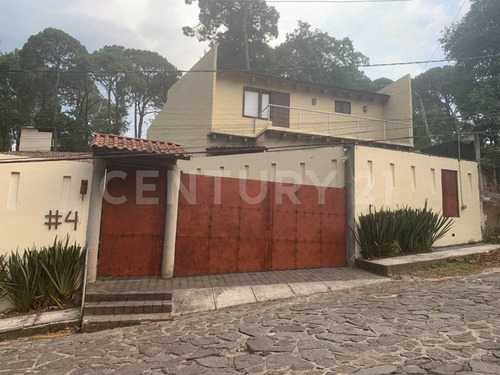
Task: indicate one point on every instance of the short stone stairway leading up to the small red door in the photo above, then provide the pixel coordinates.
(112, 307)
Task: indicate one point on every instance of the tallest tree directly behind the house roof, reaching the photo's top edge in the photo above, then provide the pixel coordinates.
(239, 27)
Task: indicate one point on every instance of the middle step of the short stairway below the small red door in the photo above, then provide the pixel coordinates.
(127, 307)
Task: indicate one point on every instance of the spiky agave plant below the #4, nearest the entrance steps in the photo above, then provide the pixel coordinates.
(63, 264)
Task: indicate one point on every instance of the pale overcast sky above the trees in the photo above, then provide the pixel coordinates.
(385, 32)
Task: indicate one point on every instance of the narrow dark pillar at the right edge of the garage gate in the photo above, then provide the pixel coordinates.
(350, 212)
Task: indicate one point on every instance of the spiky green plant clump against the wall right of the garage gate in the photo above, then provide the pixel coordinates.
(404, 231)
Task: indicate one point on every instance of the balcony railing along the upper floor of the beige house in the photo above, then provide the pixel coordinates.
(334, 124)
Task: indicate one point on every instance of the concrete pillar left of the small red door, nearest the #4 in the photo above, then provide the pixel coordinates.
(94, 223)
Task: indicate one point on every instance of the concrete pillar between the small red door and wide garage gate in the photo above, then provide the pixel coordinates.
(170, 232)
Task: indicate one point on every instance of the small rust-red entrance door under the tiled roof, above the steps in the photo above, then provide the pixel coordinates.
(131, 239)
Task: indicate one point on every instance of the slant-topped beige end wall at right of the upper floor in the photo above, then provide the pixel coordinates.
(399, 109)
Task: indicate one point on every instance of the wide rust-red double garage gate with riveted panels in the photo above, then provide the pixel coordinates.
(236, 235)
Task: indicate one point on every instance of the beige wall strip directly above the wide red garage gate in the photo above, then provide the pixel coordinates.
(319, 166)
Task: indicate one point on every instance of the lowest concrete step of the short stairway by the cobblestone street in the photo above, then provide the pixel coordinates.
(94, 323)
